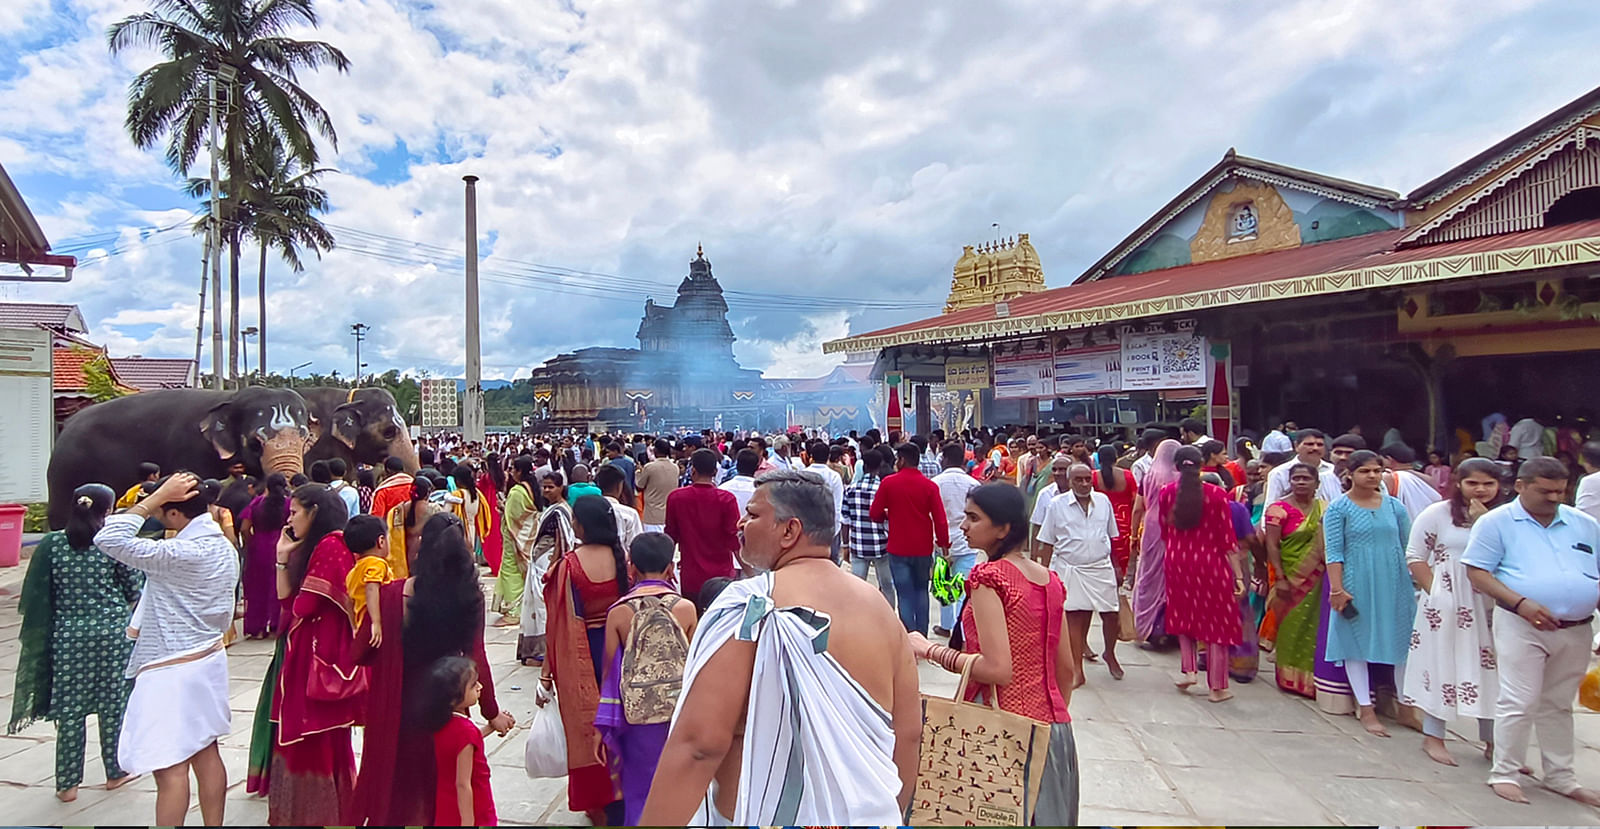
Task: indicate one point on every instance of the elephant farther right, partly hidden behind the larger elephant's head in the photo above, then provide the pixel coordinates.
(364, 427)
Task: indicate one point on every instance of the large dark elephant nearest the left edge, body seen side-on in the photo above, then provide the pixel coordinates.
(178, 430)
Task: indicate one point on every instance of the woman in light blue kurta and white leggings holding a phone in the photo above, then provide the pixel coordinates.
(1369, 585)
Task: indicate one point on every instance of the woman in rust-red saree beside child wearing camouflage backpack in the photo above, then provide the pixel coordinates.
(578, 595)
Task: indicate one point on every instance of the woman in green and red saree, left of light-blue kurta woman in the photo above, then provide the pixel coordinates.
(1294, 529)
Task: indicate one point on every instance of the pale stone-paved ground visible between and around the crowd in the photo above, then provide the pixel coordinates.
(1148, 756)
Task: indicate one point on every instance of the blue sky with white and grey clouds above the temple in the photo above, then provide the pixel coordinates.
(831, 158)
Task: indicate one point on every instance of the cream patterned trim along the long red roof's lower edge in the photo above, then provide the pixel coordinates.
(1383, 276)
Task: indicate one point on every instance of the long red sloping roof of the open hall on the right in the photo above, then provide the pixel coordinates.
(1370, 250)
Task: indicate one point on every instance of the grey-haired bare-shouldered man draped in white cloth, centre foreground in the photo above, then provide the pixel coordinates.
(812, 668)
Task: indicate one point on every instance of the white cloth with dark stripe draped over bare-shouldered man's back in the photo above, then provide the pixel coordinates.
(818, 750)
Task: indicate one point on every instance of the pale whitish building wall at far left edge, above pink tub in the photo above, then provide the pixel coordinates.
(28, 415)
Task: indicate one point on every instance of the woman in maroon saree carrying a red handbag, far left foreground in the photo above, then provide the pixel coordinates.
(319, 691)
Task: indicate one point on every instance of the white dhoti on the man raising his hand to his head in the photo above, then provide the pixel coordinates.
(174, 713)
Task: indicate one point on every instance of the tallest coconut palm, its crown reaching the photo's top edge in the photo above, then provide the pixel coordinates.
(199, 39)
